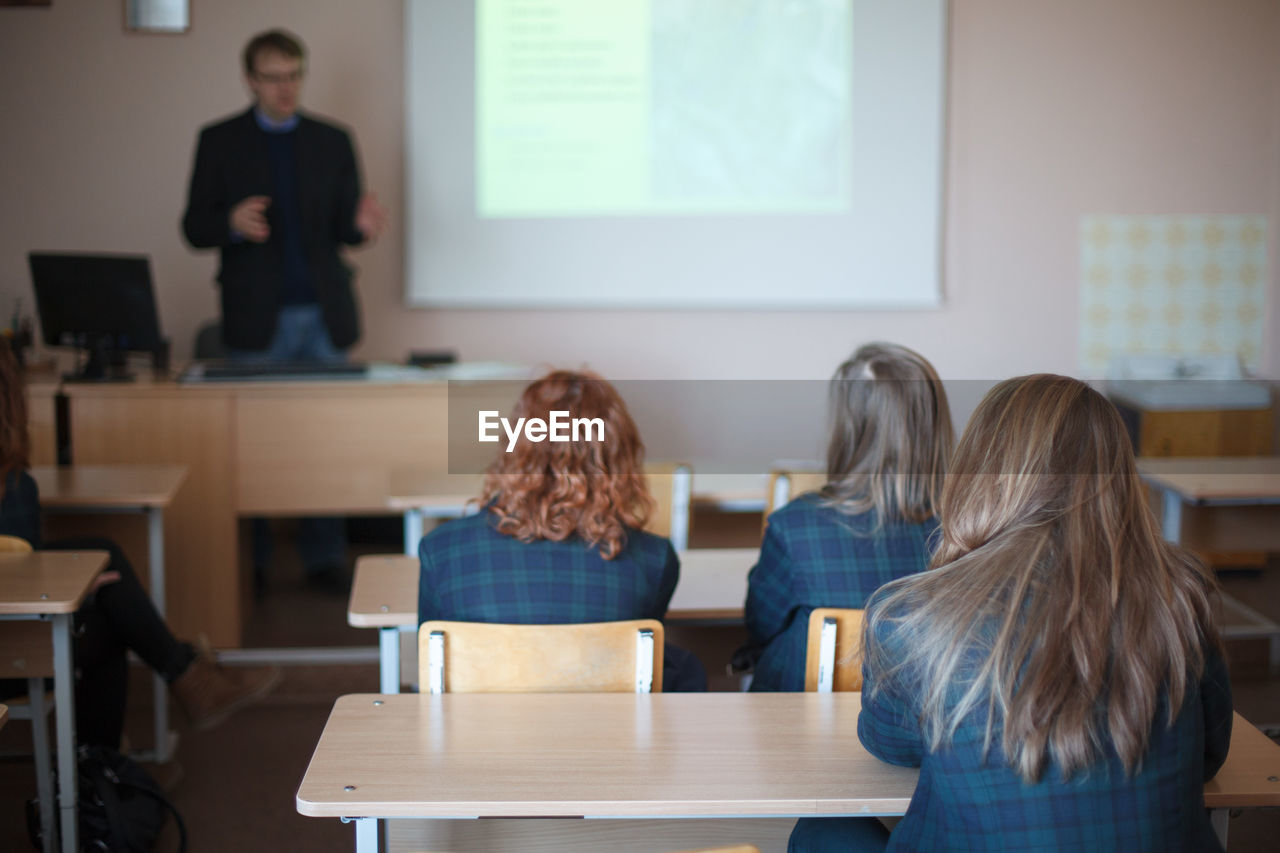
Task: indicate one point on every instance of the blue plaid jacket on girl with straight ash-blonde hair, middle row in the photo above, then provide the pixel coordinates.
(816, 556)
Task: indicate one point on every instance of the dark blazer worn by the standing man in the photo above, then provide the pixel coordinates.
(232, 165)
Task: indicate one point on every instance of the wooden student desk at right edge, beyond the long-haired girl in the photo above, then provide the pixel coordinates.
(1223, 504)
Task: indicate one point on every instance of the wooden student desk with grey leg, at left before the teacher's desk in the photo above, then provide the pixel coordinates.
(145, 490)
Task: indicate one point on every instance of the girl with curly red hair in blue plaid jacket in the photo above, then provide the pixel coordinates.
(559, 539)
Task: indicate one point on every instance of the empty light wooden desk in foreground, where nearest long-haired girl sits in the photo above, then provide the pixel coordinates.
(628, 756)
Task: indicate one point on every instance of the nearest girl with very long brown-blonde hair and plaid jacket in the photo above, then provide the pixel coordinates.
(1058, 674)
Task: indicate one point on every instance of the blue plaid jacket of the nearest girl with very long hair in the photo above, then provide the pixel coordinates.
(967, 802)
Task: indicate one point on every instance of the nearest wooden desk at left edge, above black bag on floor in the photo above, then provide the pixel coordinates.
(51, 586)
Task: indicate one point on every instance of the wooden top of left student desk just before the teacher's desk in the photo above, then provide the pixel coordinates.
(108, 486)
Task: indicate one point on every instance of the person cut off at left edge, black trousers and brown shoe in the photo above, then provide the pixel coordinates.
(118, 615)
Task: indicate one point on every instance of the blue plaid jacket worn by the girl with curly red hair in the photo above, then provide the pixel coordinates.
(473, 573)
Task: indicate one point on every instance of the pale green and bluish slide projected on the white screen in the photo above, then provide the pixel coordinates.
(662, 107)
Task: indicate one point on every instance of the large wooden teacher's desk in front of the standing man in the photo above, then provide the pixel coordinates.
(255, 449)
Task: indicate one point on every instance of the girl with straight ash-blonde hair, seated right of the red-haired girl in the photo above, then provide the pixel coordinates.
(872, 523)
